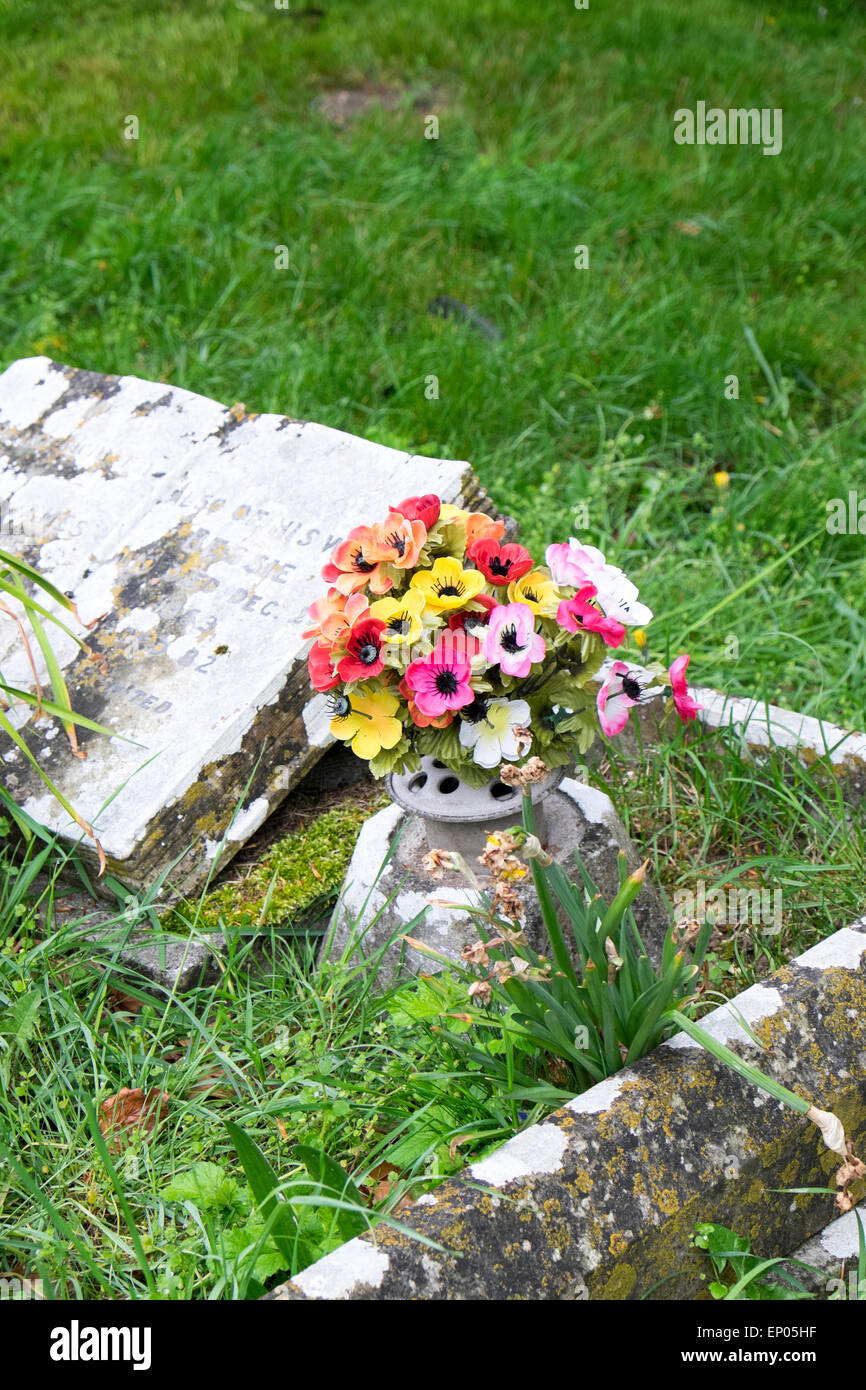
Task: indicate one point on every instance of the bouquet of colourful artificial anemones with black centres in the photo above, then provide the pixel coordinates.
(439, 639)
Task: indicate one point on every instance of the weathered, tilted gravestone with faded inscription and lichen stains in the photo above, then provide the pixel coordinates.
(197, 536)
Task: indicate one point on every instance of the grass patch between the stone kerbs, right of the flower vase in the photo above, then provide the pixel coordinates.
(703, 814)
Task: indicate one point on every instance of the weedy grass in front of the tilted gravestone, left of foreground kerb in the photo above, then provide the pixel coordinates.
(293, 1057)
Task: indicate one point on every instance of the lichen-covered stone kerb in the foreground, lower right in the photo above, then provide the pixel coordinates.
(600, 1200)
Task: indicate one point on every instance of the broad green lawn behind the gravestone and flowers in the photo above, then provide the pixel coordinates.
(156, 256)
